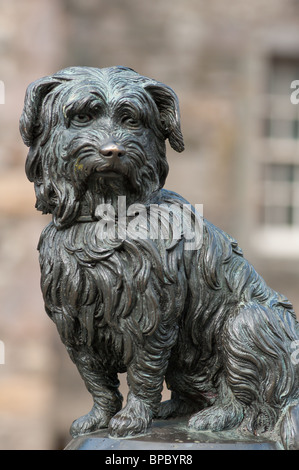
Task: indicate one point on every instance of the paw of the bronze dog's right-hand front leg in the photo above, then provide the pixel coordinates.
(133, 419)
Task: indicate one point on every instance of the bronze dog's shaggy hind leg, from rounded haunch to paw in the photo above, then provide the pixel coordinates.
(258, 378)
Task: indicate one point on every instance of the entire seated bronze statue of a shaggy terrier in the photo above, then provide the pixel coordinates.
(202, 319)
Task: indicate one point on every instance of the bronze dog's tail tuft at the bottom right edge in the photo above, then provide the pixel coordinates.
(288, 427)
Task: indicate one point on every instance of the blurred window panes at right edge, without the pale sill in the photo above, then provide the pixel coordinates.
(280, 174)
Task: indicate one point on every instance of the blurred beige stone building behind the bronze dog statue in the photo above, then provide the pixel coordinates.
(232, 64)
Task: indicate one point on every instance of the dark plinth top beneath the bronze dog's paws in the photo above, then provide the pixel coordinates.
(174, 435)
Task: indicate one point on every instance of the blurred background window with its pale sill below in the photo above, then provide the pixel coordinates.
(277, 232)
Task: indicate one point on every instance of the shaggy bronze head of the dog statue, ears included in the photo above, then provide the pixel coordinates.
(95, 134)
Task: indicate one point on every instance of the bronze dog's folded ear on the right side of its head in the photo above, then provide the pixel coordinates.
(168, 106)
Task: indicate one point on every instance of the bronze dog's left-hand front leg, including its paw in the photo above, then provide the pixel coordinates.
(102, 385)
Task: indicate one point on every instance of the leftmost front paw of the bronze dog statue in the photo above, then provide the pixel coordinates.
(95, 419)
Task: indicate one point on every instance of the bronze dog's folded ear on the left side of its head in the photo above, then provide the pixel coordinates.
(35, 93)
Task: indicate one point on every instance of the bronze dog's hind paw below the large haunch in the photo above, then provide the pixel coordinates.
(217, 418)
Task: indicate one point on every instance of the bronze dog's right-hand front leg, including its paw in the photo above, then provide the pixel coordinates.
(145, 379)
